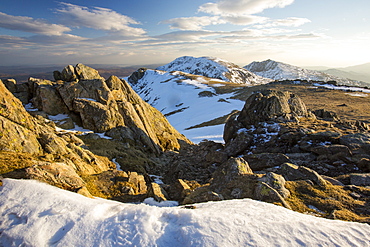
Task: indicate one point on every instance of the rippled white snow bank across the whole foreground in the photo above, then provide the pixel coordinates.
(36, 214)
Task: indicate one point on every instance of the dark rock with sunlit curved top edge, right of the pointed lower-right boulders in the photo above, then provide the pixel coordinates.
(292, 173)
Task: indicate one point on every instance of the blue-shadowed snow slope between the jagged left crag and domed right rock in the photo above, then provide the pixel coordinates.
(186, 100)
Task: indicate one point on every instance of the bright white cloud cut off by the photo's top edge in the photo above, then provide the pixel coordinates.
(242, 7)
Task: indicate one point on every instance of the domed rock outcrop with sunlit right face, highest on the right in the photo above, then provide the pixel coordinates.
(272, 105)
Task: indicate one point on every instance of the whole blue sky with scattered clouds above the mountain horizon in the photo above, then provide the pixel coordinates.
(332, 33)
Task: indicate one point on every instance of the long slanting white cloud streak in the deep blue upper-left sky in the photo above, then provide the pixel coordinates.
(99, 18)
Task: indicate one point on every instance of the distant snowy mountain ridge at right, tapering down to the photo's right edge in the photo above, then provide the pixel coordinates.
(281, 71)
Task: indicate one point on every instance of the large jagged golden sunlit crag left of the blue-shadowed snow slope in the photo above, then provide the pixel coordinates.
(103, 105)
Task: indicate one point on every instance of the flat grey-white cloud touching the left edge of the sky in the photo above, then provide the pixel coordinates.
(31, 25)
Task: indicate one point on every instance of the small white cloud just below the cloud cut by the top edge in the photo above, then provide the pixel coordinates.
(193, 23)
